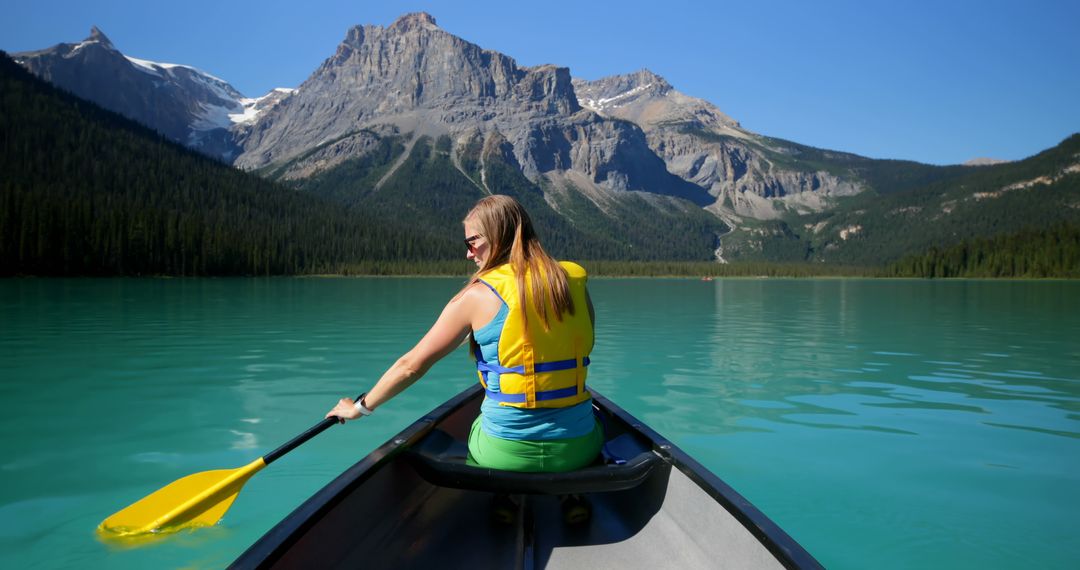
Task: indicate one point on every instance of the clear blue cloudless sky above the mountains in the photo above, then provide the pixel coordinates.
(934, 82)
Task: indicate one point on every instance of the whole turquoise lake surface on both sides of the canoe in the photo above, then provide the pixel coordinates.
(883, 424)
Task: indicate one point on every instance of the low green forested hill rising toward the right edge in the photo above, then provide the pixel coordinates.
(1014, 198)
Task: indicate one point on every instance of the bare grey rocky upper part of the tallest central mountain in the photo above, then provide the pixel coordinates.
(415, 78)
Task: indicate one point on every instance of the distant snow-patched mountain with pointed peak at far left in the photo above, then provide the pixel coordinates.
(182, 103)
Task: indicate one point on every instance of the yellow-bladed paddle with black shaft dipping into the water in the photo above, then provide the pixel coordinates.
(198, 500)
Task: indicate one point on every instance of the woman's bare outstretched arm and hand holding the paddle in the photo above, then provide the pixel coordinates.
(448, 334)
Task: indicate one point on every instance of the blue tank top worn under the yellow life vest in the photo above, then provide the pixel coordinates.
(534, 425)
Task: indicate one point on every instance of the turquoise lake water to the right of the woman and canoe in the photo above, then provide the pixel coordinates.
(926, 423)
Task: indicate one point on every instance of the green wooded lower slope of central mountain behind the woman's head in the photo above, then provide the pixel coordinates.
(428, 195)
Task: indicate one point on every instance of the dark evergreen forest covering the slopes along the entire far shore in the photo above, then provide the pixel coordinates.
(87, 193)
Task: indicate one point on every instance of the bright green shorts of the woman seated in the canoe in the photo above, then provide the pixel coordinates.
(537, 456)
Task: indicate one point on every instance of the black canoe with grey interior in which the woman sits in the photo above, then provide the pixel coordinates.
(415, 503)
